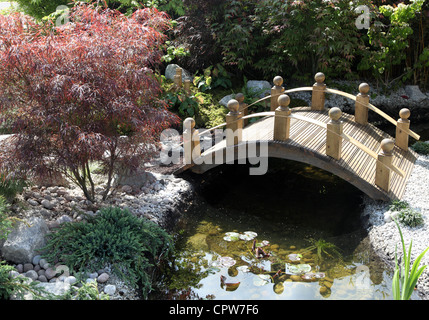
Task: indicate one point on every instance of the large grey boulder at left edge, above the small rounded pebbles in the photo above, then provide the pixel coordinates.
(24, 240)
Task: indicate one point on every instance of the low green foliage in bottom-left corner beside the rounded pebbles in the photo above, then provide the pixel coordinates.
(18, 286)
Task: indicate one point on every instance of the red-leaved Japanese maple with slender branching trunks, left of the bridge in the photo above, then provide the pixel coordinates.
(82, 92)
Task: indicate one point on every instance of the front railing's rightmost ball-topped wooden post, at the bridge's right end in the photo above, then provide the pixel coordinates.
(385, 157)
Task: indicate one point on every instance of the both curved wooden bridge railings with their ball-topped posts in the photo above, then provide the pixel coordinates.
(279, 105)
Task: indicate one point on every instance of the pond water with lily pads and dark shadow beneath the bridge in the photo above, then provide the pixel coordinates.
(306, 223)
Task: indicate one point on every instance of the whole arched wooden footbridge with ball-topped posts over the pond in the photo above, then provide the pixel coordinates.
(343, 144)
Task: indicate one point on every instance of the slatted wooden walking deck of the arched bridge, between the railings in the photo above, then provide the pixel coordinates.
(312, 139)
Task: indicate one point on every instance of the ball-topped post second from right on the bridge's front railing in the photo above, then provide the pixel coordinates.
(333, 132)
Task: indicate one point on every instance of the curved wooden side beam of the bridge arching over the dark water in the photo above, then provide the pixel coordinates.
(276, 149)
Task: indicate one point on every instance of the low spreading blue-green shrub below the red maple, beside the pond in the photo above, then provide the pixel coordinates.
(131, 245)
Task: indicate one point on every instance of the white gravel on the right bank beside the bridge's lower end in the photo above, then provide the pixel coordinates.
(384, 236)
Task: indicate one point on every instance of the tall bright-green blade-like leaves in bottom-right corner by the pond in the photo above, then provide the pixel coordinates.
(406, 276)
